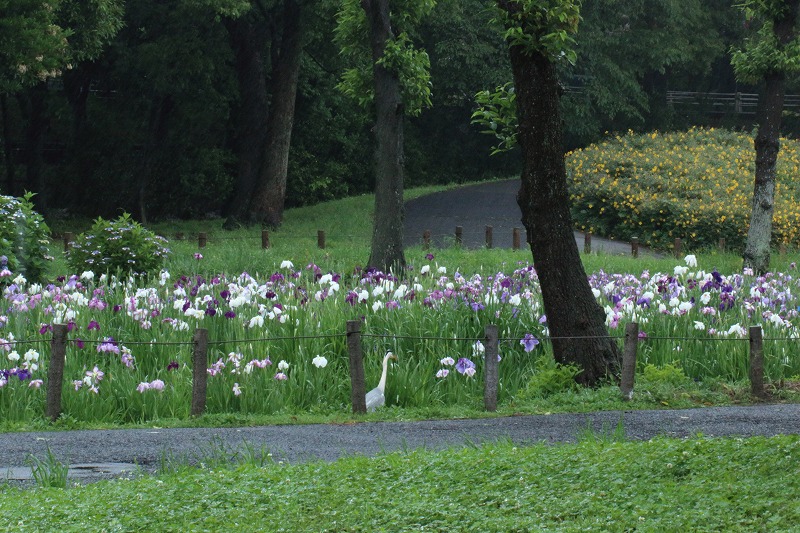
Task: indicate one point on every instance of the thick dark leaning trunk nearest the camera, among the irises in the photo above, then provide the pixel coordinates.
(575, 319)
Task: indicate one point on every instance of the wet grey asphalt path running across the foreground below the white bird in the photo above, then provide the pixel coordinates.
(99, 454)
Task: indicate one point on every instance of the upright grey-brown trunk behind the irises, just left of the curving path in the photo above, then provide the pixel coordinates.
(387, 234)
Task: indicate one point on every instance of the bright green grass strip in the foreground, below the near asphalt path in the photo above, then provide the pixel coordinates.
(600, 483)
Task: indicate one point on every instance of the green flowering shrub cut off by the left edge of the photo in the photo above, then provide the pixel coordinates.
(24, 238)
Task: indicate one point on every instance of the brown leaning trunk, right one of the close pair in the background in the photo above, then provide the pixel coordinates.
(269, 195)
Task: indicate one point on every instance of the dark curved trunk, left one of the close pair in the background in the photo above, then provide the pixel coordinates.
(251, 125)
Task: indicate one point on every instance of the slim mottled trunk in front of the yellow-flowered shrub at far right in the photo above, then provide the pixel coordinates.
(767, 144)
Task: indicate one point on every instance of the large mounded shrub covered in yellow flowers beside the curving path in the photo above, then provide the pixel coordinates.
(696, 185)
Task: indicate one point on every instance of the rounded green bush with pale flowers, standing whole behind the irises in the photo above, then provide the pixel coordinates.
(122, 245)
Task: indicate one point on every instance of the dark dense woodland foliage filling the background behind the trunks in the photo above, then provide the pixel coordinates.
(152, 103)
